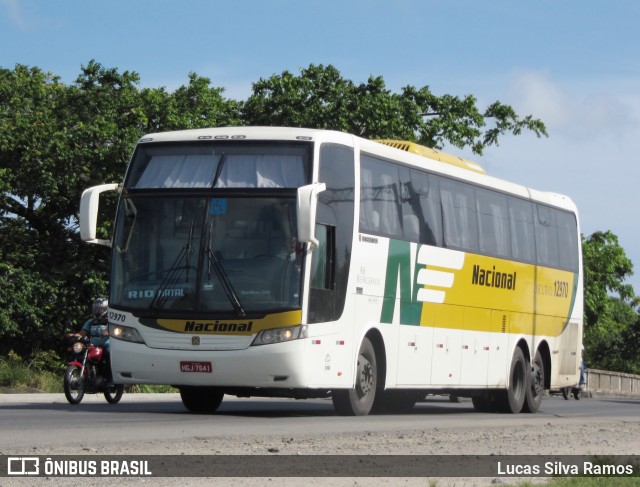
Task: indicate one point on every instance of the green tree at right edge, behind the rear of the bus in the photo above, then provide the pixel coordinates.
(611, 324)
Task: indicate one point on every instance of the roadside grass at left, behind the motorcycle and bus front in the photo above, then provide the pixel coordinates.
(44, 372)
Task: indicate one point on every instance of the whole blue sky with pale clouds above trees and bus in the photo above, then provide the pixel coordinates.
(574, 63)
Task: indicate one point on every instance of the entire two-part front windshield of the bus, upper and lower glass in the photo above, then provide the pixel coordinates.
(210, 227)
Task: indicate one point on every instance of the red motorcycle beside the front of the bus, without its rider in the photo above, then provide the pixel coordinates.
(87, 373)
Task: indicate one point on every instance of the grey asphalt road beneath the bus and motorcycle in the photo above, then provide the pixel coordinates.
(46, 422)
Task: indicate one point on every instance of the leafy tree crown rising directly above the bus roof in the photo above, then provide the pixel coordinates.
(321, 98)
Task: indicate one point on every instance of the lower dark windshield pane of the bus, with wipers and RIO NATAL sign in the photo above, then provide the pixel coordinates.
(235, 255)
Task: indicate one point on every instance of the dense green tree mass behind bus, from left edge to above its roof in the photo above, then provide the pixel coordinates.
(56, 140)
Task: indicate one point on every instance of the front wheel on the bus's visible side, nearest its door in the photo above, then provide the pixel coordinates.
(359, 400)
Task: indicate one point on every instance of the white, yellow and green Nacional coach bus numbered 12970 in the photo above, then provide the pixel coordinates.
(288, 262)
